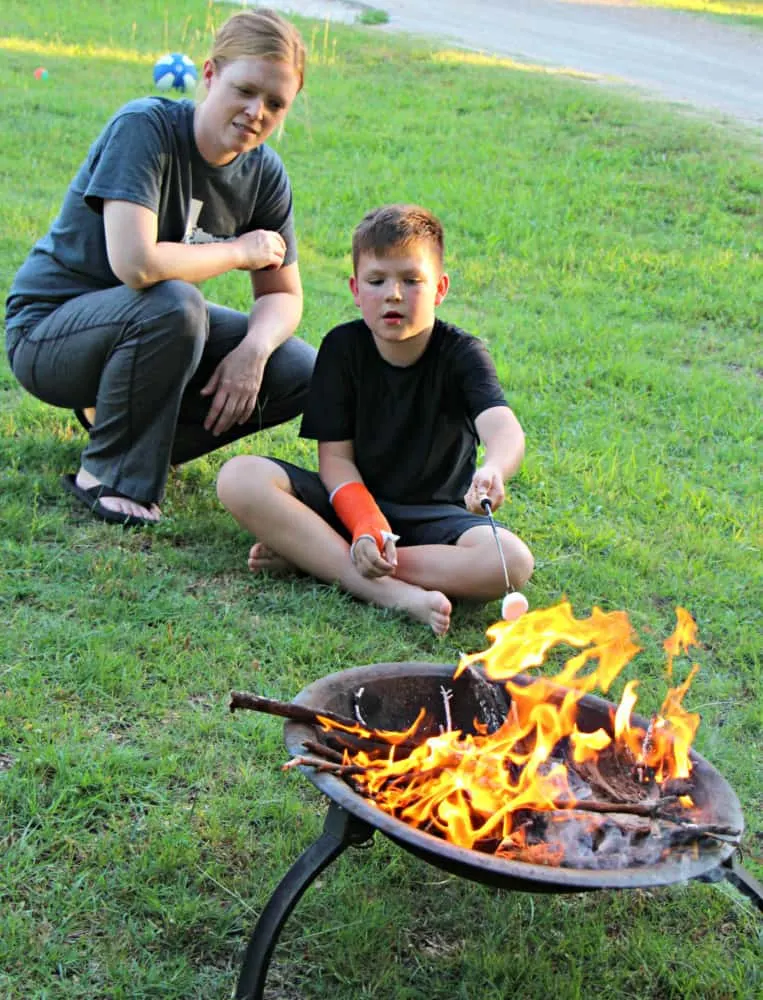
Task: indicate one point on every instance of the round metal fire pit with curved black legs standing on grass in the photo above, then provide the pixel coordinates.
(389, 696)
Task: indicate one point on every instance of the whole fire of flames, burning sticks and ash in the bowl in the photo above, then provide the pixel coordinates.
(539, 788)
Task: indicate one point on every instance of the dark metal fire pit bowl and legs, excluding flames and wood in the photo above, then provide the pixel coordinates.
(351, 820)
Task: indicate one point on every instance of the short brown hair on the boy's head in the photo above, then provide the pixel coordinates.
(394, 227)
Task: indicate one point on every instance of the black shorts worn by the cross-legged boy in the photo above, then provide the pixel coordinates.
(417, 524)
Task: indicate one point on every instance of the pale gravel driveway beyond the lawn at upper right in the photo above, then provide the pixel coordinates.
(679, 57)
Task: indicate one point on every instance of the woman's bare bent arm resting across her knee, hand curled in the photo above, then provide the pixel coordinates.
(139, 261)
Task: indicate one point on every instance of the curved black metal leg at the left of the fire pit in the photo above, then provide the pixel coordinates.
(340, 830)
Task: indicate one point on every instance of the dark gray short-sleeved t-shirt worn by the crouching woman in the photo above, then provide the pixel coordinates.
(147, 155)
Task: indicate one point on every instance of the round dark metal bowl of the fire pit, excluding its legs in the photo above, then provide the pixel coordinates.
(393, 694)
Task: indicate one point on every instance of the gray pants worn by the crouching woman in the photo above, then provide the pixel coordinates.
(141, 359)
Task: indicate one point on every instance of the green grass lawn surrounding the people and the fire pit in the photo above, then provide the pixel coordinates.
(609, 252)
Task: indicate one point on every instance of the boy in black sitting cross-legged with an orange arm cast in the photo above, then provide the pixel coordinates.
(398, 403)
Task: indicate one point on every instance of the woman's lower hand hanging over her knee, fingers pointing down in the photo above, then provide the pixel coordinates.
(234, 387)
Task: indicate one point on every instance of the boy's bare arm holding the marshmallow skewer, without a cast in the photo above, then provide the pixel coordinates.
(504, 442)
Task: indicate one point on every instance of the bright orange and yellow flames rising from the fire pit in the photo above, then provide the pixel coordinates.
(469, 787)
